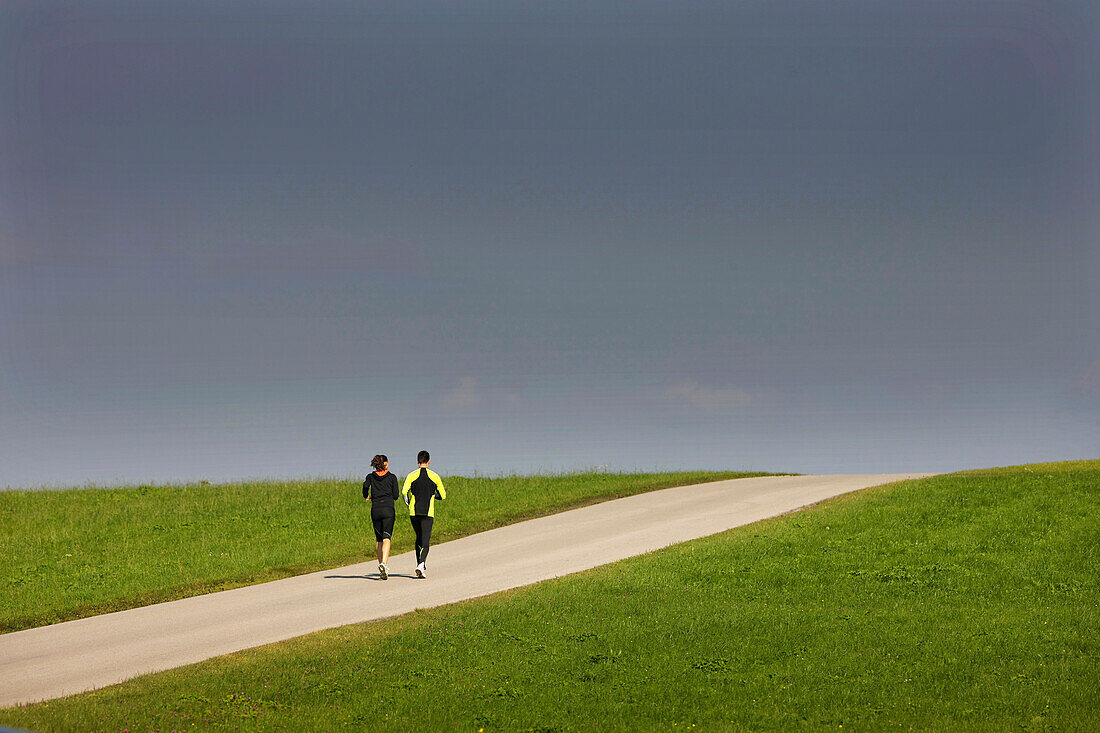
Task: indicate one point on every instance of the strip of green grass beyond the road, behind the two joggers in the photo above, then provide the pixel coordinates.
(76, 553)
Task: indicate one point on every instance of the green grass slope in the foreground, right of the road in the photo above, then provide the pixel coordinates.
(958, 601)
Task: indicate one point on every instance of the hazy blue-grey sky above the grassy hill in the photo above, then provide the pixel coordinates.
(265, 239)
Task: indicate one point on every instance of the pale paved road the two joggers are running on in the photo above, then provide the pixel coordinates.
(53, 662)
